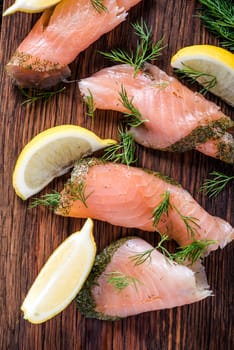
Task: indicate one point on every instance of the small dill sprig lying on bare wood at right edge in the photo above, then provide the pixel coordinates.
(212, 187)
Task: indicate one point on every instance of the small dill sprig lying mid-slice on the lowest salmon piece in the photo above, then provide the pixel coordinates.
(120, 280)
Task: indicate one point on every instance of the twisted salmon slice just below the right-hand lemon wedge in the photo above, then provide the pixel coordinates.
(177, 119)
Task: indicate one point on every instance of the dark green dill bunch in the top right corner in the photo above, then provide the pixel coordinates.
(218, 18)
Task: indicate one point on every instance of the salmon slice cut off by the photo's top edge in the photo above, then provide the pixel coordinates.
(59, 36)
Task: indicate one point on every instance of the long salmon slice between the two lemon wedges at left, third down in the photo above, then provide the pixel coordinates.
(132, 199)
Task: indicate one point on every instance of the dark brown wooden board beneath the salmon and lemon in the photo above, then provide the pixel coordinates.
(28, 237)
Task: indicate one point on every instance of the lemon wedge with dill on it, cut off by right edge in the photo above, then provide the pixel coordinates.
(214, 62)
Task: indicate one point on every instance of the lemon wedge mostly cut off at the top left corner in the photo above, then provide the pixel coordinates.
(29, 6)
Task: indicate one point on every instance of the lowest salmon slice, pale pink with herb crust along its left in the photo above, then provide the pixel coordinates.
(117, 287)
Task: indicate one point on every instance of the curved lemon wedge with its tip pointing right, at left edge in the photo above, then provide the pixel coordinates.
(51, 154)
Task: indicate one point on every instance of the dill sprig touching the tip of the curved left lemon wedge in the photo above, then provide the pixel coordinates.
(122, 152)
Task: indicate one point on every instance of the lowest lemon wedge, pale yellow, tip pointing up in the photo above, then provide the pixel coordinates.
(62, 276)
